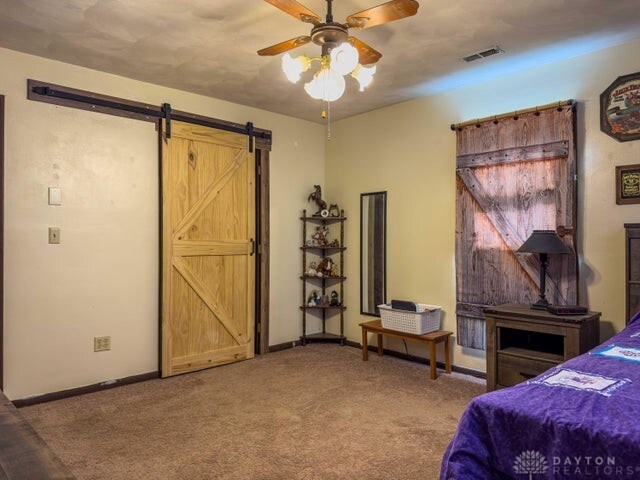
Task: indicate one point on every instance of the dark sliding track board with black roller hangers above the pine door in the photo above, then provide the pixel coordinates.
(89, 101)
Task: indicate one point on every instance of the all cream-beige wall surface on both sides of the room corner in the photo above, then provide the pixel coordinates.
(102, 279)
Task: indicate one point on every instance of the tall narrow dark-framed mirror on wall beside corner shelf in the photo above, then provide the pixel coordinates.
(373, 252)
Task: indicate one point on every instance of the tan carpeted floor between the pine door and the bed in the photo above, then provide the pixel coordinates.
(315, 412)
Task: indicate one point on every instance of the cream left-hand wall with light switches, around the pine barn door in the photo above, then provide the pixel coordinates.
(102, 279)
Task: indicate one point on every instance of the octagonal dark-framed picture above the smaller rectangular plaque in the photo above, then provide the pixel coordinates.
(620, 108)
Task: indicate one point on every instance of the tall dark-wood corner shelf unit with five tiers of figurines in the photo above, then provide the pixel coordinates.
(321, 282)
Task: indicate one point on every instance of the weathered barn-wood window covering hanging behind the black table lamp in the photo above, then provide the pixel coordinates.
(513, 176)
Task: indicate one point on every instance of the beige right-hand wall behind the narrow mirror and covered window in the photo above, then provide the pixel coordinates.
(409, 150)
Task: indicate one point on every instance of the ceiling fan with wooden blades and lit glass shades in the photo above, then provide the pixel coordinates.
(342, 54)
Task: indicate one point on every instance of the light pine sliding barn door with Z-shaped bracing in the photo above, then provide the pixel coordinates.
(208, 294)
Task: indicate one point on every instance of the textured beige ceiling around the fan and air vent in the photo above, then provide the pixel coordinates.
(209, 46)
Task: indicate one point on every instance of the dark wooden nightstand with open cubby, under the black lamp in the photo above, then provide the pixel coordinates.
(523, 343)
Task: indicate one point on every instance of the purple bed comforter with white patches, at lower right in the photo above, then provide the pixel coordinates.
(580, 419)
